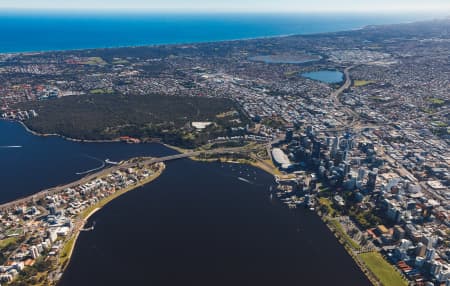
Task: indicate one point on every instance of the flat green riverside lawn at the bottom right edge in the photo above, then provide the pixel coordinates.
(384, 271)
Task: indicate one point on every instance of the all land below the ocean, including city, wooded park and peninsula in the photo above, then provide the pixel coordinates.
(368, 153)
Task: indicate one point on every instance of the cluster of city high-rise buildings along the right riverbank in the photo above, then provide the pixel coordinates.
(410, 223)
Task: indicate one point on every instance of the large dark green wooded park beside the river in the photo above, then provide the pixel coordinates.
(109, 116)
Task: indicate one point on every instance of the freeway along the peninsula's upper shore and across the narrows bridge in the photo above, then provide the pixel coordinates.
(146, 161)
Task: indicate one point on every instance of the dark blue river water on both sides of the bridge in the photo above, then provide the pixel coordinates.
(197, 224)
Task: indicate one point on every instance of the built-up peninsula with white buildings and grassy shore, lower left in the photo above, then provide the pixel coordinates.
(49, 222)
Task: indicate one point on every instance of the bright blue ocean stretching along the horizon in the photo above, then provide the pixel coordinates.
(43, 31)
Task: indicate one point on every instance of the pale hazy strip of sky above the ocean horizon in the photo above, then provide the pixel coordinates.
(234, 5)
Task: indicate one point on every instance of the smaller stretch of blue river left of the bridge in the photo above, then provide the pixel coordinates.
(43, 162)
